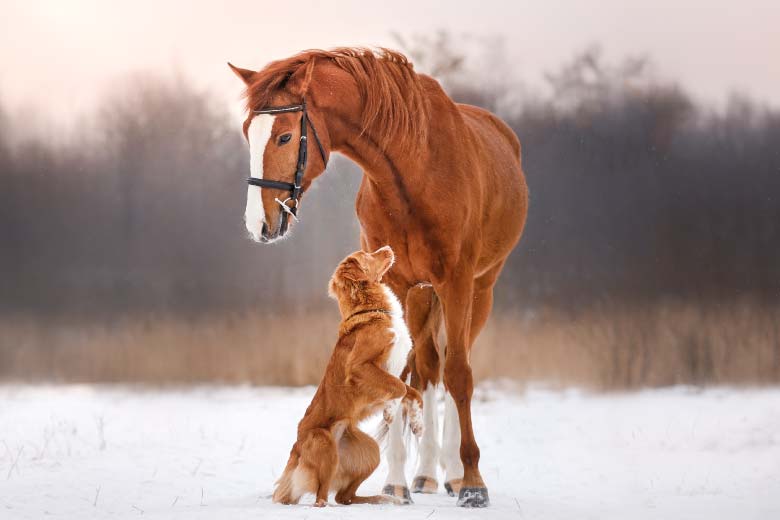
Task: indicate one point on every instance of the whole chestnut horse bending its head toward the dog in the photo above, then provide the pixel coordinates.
(442, 185)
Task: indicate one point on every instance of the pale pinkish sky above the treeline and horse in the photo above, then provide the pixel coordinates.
(57, 56)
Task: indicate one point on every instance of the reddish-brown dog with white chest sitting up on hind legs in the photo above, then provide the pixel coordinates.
(331, 453)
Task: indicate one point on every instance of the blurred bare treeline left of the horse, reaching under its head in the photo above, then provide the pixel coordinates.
(145, 214)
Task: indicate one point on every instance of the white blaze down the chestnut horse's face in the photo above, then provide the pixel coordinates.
(259, 134)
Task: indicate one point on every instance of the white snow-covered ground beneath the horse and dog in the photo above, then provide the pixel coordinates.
(98, 452)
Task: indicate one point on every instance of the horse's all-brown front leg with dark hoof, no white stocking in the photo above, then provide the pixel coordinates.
(456, 298)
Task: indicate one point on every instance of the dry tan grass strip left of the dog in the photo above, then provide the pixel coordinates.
(257, 349)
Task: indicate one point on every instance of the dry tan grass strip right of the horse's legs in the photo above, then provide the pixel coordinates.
(657, 345)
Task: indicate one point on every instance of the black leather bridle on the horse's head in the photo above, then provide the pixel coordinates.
(293, 187)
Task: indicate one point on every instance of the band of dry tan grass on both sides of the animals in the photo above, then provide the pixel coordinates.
(601, 348)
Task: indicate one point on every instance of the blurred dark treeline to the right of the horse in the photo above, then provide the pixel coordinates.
(639, 193)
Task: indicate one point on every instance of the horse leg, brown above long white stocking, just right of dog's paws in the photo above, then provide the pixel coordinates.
(424, 318)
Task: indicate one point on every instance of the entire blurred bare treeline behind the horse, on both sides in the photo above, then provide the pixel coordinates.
(638, 194)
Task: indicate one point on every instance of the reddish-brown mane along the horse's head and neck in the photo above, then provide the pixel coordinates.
(395, 105)
